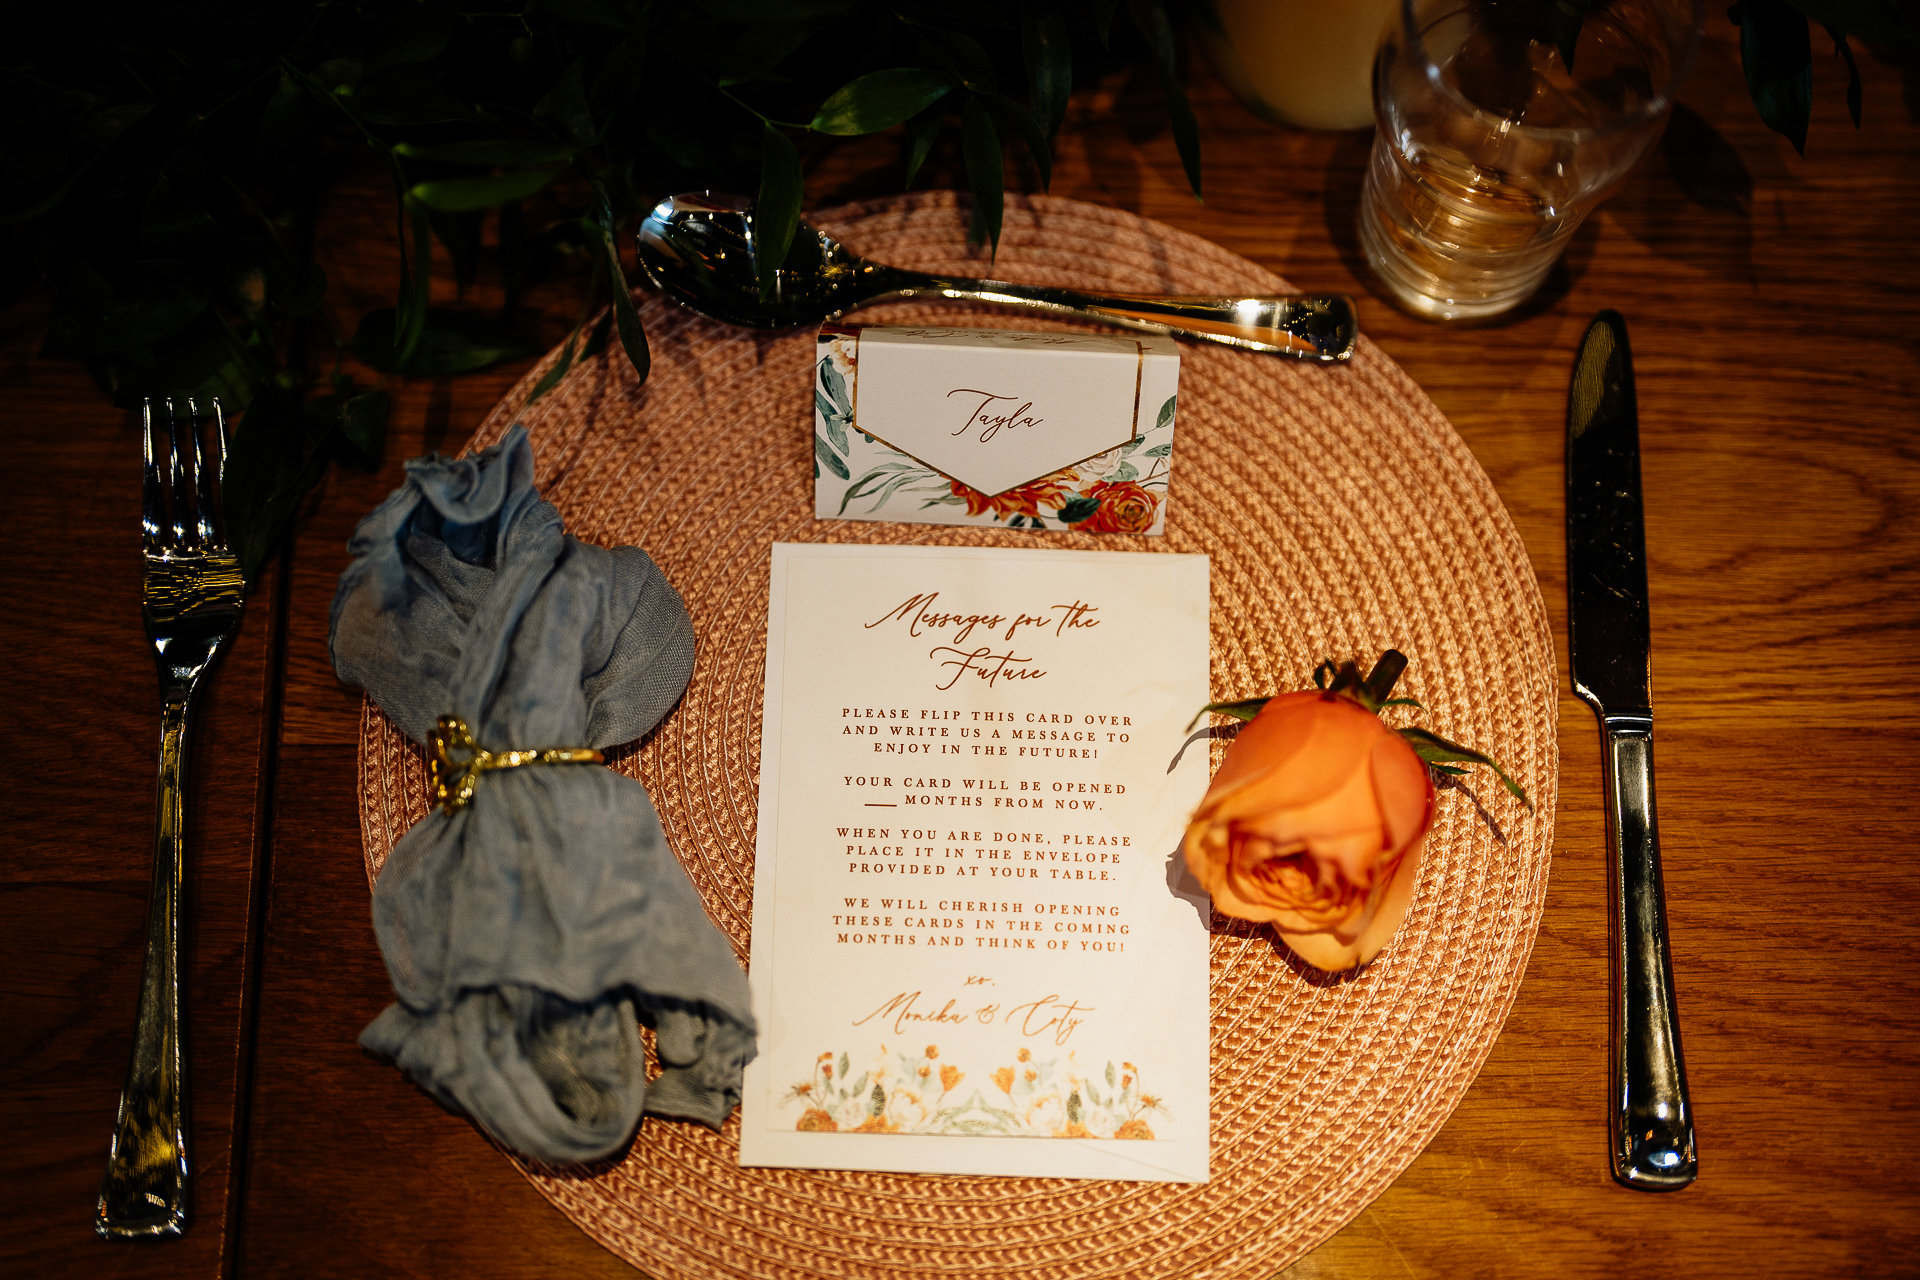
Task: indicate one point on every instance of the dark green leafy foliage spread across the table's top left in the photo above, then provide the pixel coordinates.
(164, 181)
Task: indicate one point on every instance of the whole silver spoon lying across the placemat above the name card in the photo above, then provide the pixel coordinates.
(698, 250)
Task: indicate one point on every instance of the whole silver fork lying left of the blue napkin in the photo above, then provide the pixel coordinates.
(191, 588)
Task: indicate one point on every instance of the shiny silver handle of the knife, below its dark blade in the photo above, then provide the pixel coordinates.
(1650, 1124)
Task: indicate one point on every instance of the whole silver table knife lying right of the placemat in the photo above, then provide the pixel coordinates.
(1650, 1124)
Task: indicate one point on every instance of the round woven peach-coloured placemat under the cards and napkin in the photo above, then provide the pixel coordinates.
(1343, 517)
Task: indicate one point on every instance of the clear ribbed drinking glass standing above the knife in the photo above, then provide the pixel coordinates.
(1491, 149)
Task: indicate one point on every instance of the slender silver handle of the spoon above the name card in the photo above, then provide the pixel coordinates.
(1305, 327)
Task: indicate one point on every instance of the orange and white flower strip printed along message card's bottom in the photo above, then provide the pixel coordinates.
(1020, 1099)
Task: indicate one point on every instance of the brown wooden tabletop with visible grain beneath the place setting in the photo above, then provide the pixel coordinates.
(1775, 310)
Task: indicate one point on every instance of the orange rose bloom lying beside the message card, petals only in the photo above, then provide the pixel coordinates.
(1316, 824)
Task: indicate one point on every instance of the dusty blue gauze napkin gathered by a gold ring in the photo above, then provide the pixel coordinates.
(531, 932)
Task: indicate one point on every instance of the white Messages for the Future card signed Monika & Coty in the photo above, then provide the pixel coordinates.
(974, 943)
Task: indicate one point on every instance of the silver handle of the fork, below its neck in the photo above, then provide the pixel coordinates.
(145, 1191)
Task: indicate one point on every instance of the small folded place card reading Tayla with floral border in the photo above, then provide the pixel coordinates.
(1003, 429)
